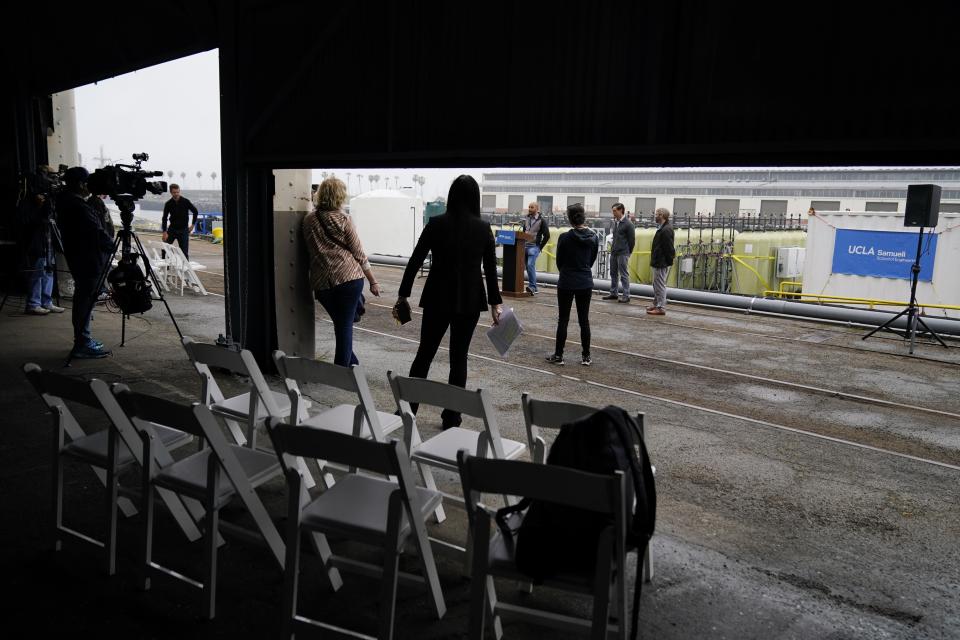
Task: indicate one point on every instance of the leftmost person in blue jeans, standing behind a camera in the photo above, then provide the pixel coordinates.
(38, 232)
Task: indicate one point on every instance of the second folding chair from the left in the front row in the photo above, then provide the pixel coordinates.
(213, 476)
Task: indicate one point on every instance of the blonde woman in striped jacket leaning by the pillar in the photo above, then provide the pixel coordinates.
(338, 265)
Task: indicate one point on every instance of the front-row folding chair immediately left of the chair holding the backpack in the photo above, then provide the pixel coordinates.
(382, 512)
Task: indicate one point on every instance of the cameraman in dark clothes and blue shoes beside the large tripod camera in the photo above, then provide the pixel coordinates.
(87, 248)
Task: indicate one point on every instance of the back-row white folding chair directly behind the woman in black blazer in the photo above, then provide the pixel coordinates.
(440, 451)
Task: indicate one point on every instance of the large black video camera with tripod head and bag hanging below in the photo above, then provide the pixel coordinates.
(125, 184)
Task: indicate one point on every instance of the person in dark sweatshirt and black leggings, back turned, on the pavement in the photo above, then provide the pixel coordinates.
(576, 252)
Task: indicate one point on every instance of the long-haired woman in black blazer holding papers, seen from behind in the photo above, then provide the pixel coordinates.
(453, 295)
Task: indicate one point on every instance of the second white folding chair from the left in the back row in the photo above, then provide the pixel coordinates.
(361, 419)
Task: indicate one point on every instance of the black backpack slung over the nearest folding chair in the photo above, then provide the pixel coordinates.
(554, 539)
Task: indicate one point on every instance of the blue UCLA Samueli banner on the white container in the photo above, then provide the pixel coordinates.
(883, 254)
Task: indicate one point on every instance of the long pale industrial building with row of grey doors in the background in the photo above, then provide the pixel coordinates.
(727, 192)
